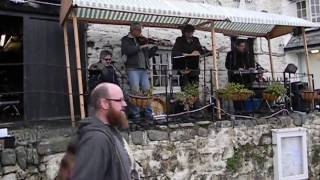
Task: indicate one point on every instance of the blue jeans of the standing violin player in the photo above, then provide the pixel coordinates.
(139, 79)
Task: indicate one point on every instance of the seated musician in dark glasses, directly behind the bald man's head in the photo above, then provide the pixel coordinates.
(102, 71)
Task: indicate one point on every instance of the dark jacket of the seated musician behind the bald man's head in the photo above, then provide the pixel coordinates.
(98, 73)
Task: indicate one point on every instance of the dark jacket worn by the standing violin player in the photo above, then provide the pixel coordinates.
(135, 54)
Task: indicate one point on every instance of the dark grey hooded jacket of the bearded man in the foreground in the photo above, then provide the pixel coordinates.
(100, 153)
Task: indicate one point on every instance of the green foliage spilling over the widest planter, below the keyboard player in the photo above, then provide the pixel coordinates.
(233, 89)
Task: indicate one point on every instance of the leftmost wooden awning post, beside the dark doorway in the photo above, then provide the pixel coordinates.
(66, 46)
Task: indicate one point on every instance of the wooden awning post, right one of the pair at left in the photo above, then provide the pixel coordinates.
(79, 69)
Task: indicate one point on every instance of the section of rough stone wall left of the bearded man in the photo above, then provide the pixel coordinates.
(37, 153)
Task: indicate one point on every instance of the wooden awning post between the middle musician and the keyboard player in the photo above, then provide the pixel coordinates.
(215, 66)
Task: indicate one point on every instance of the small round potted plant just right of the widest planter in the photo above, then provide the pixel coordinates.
(273, 92)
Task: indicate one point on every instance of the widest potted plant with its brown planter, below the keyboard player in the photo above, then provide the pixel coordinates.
(235, 92)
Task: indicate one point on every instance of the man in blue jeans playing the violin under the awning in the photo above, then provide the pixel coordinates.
(137, 53)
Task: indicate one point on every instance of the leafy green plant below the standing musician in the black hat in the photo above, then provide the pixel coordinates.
(188, 96)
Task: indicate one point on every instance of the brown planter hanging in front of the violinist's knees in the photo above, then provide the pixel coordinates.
(141, 99)
